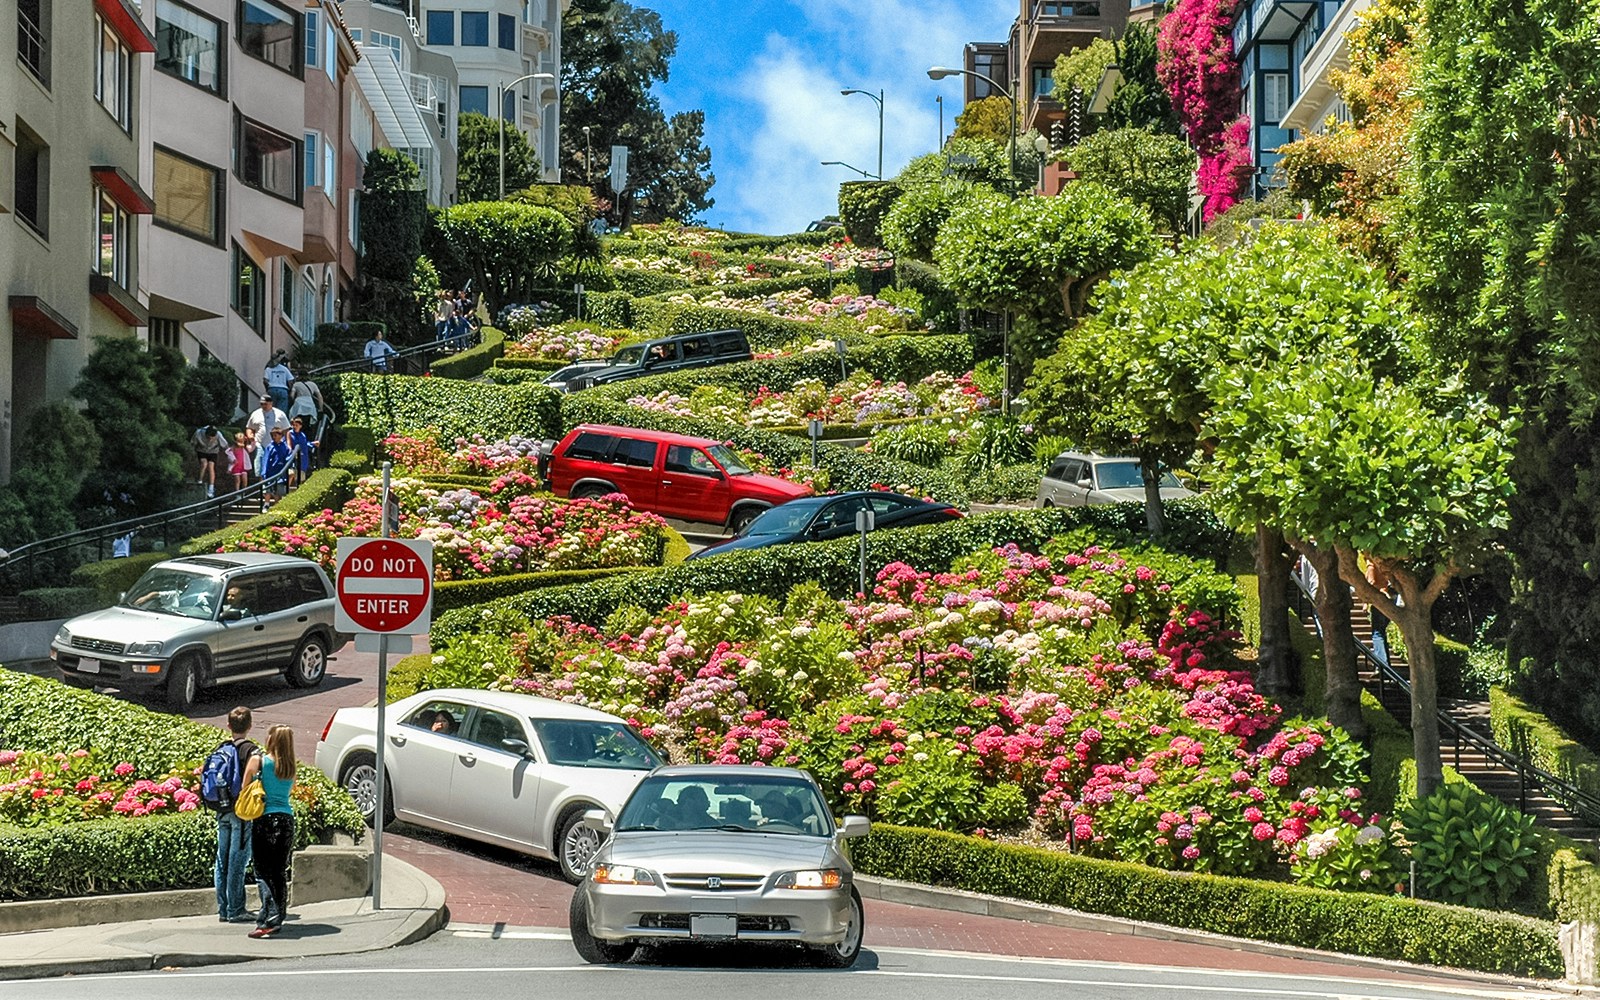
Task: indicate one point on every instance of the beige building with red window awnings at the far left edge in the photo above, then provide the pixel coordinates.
(73, 81)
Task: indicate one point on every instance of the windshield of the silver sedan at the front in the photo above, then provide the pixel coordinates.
(758, 804)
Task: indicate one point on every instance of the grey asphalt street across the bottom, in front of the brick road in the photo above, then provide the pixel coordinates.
(543, 964)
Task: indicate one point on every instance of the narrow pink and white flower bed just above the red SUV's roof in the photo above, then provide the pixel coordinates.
(855, 401)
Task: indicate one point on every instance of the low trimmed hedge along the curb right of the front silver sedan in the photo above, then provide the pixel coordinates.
(1362, 924)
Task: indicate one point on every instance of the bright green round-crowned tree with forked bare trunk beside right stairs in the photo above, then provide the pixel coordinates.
(1414, 479)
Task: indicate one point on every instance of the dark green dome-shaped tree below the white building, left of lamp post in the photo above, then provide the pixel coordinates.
(510, 249)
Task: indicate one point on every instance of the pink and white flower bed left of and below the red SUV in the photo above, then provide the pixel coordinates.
(503, 530)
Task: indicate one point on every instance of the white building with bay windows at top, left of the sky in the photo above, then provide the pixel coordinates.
(513, 49)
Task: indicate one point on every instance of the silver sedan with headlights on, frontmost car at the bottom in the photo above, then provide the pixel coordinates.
(722, 854)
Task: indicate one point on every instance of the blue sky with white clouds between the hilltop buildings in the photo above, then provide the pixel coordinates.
(769, 73)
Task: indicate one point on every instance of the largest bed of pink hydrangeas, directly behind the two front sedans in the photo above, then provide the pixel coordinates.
(1071, 694)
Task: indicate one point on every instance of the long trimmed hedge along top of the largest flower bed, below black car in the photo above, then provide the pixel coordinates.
(834, 564)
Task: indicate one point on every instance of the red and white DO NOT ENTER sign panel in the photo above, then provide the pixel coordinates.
(386, 586)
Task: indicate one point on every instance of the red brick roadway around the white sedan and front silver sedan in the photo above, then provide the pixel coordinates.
(486, 886)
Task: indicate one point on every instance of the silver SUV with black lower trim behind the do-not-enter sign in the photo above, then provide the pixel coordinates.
(207, 620)
